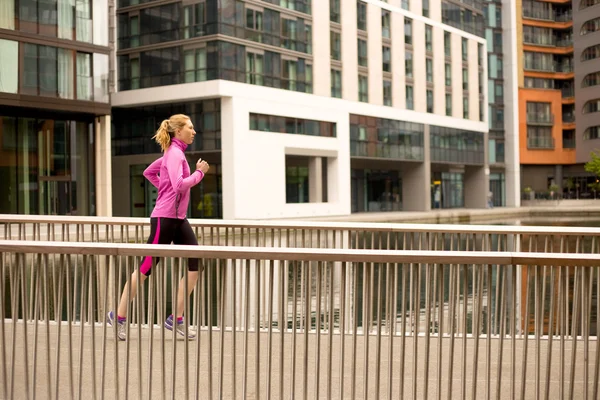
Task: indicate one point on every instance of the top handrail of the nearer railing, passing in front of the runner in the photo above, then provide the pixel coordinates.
(300, 254)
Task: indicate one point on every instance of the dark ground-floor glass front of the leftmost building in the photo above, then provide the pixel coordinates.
(47, 164)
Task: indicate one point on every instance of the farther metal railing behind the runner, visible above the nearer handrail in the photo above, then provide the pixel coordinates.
(305, 234)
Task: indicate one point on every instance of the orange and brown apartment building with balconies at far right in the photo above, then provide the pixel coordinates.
(559, 120)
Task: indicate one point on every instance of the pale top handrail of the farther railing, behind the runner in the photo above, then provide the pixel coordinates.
(337, 225)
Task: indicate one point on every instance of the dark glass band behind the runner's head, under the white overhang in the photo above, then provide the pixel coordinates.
(133, 128)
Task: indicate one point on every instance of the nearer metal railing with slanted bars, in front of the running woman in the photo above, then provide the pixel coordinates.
(309, 323)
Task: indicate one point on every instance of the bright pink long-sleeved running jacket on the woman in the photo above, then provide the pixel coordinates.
(171, 175)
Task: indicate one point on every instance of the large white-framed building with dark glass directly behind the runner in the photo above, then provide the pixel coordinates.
(302, 115)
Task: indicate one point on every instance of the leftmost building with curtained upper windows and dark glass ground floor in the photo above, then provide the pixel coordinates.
(54, 107)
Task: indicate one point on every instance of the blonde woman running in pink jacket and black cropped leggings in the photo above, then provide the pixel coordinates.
(171, 175)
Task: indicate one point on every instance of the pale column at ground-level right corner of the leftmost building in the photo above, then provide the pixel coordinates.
(103, 167)
